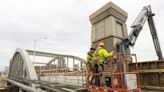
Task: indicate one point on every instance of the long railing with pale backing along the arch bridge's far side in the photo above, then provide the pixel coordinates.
(68, 75)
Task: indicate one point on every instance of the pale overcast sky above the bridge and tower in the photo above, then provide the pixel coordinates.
(66, 25)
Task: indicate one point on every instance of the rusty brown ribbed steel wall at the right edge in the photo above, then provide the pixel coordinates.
(151, 74)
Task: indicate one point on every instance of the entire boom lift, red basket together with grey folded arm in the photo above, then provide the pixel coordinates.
(121, 75)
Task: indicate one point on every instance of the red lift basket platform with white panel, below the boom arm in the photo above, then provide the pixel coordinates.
(115, 79)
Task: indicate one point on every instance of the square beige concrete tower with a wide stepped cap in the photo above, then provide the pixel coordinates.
(108, 26)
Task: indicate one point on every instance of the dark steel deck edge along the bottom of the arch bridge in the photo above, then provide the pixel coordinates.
(45, 85)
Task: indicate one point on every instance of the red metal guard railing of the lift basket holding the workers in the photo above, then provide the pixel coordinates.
(118, 75)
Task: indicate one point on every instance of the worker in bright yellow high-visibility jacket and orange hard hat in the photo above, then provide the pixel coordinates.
(100, 57)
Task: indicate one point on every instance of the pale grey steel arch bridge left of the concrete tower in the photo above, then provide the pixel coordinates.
(60, 73)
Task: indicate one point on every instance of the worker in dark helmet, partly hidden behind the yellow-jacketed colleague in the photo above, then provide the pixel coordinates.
(89, 66)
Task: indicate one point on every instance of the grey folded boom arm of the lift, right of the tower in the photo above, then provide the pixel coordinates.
(145, 14)
